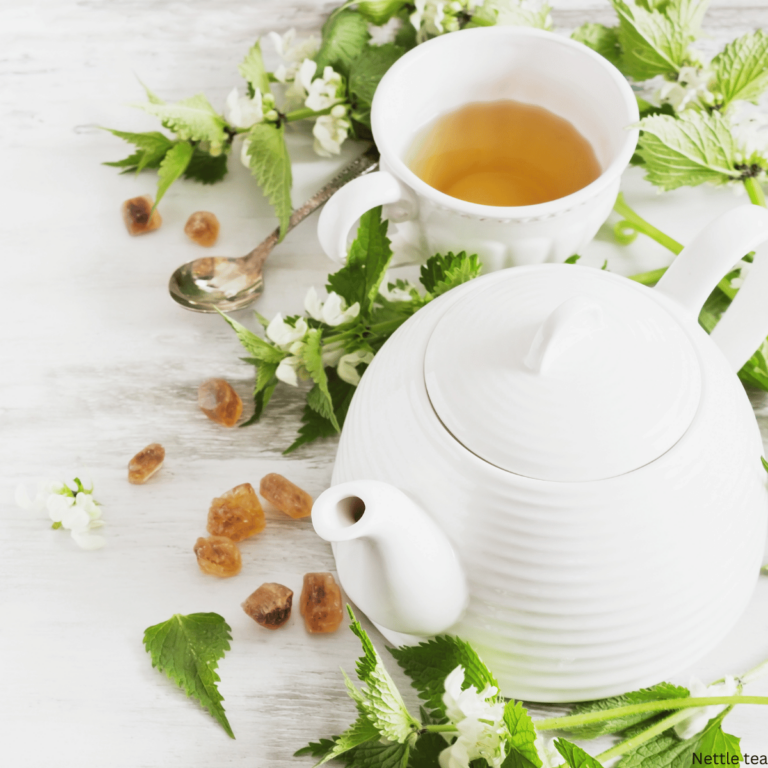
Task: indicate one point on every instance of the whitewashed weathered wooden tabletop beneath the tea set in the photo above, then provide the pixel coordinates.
(96, 362)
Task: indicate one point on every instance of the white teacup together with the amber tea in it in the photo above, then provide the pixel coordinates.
(507, 142)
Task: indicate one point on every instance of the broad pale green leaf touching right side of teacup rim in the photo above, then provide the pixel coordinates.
(689, 150)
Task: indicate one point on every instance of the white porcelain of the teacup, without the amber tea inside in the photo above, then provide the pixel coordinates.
(490, 64)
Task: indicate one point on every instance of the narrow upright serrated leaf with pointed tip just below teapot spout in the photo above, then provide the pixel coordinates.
(379, 698)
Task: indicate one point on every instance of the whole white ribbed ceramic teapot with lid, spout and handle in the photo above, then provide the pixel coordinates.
(559, 465)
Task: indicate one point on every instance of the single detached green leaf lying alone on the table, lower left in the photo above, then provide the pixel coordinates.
(187, 649)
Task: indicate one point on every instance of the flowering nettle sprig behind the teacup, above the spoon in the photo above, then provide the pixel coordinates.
(329, 82)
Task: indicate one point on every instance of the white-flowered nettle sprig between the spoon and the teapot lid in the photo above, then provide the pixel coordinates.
(335, 340)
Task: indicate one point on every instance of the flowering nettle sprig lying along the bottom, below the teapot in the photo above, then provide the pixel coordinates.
(465, 723)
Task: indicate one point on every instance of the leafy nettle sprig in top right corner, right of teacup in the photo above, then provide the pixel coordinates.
(699, 123)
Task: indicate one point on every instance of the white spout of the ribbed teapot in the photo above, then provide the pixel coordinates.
(393, 561)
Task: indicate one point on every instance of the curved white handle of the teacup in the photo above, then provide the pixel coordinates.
(350, 203)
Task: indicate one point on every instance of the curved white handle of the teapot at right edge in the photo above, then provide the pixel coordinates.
(711, 255)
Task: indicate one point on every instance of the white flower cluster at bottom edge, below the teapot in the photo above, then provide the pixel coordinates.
(480, 724)
